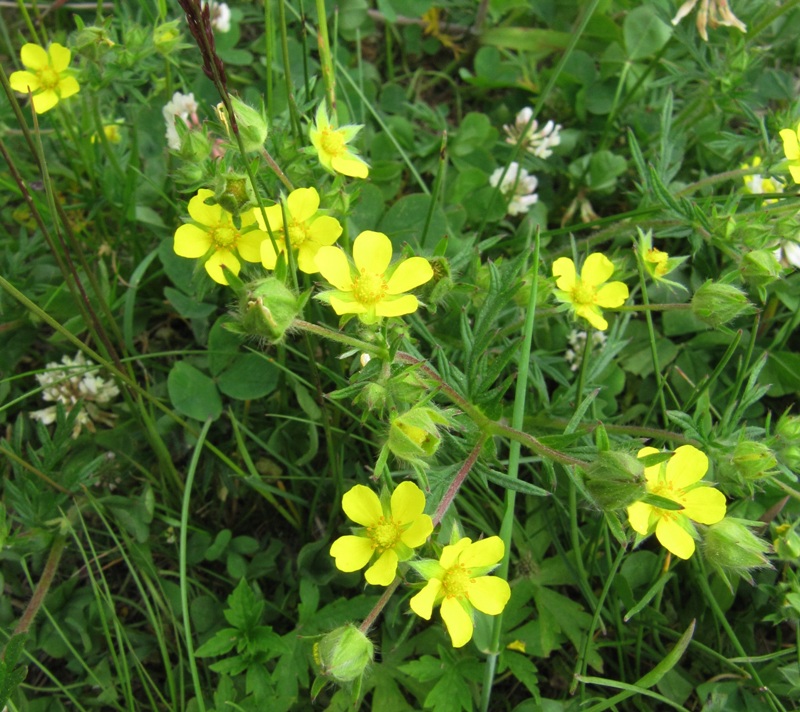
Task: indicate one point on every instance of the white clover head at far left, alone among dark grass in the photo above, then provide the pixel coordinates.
(73, 382)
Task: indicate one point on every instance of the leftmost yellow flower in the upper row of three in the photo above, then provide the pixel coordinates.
(212, 234)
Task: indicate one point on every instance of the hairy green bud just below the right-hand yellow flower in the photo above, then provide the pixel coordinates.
(732, 548)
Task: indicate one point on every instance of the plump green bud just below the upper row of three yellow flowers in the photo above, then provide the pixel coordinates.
(268, 310)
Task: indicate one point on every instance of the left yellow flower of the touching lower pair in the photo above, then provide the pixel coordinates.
(391, 531)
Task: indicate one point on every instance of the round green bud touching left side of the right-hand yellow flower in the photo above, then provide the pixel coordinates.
(615, 480)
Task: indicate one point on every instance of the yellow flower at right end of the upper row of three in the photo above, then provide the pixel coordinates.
(372, 289)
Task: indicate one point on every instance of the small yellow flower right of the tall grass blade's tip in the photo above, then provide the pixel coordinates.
(584, 294)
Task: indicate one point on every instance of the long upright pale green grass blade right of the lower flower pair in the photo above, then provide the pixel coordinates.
(517, 420)
